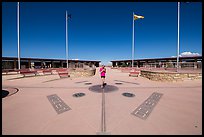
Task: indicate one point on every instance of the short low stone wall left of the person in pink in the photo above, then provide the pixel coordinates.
(82, 72)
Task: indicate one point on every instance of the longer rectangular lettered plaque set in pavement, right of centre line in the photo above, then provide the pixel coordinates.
(144, 110)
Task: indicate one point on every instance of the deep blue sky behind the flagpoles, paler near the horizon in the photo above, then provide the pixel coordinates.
(101, 30)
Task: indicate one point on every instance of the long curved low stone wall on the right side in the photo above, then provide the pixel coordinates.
(170, 76)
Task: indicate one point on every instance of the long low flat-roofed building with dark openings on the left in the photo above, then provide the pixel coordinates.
(12, 63)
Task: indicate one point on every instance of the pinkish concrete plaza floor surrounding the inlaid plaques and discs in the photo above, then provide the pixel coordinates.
(29, 112)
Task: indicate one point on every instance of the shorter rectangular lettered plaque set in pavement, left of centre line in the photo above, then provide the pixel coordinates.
(58, 104)
